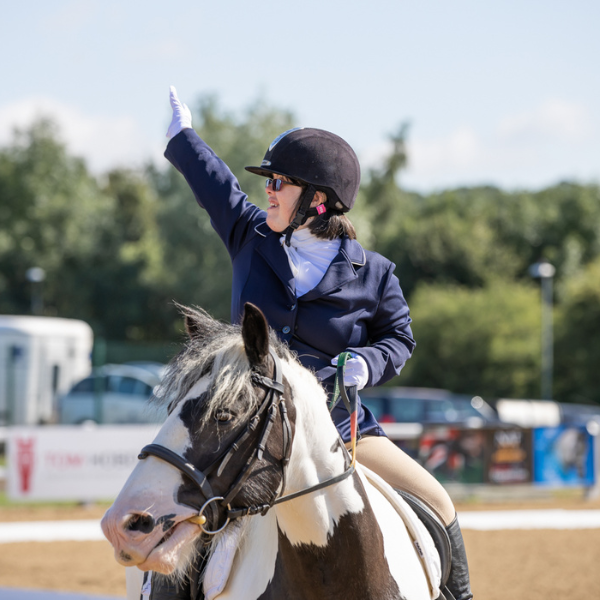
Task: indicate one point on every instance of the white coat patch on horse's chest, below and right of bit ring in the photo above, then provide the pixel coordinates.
(254, 563)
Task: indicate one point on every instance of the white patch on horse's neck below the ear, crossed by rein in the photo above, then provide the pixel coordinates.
(312, 519)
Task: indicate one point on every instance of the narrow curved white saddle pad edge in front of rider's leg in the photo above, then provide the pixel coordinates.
(421, 537)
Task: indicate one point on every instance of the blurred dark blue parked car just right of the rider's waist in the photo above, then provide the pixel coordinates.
(427, 406)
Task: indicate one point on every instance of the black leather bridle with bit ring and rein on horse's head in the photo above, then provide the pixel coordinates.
(272, 404)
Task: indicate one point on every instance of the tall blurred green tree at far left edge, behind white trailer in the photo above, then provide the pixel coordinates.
(52, 212)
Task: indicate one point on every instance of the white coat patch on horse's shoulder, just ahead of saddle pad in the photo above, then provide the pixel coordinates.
(400, 552)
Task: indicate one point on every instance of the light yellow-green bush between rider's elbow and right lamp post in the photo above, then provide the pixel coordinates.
(482, 341)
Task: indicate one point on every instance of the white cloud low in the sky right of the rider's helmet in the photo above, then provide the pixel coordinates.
(556, 141)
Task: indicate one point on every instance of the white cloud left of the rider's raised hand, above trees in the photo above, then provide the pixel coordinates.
(105, 142)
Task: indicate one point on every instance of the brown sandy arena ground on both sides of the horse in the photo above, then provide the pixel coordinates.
(520, 565)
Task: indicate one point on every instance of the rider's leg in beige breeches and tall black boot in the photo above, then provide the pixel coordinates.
(382, 456)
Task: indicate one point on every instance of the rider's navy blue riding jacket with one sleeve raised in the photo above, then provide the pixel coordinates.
(358, 305)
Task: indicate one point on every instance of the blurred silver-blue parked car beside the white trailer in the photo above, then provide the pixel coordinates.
(114, 394)
